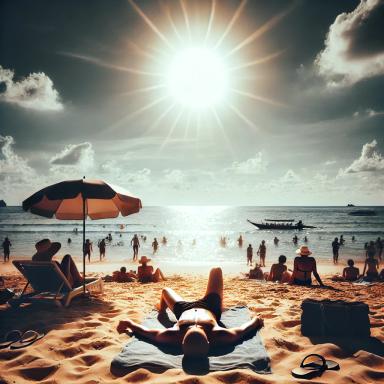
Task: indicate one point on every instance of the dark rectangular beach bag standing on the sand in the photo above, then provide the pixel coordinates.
(336, 318)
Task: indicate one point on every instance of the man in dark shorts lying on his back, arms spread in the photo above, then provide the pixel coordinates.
(197, 327)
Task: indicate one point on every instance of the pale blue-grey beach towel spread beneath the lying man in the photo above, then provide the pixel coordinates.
(138, 353)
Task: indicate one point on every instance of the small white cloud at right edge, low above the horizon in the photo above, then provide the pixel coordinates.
(369, 161)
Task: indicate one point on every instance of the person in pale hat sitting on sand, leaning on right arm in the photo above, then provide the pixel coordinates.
(303, 267)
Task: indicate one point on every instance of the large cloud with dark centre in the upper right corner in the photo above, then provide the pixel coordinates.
(354, 47)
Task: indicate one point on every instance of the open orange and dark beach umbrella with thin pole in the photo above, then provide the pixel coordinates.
(79, 199)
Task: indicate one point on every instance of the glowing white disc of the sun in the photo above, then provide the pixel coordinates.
(197, 78)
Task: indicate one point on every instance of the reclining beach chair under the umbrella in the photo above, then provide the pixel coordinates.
(49, 283)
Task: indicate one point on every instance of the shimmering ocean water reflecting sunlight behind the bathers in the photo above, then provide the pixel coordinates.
(181, 225)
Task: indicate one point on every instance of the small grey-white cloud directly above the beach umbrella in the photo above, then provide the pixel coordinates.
(75, 154)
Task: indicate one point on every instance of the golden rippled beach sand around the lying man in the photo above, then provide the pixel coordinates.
(81, 340)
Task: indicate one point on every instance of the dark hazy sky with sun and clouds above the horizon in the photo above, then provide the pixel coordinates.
(195, 102)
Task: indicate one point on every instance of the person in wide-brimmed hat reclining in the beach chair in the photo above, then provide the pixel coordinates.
(46, 250)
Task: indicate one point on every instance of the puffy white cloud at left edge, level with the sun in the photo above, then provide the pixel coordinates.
(36, 91)
